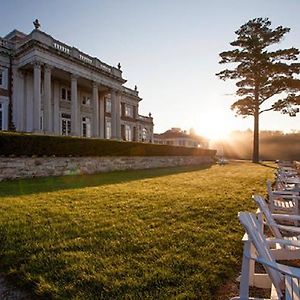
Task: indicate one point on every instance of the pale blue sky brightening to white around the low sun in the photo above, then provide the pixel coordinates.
(168, 48)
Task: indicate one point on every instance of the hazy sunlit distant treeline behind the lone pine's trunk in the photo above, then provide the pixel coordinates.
(273, 145)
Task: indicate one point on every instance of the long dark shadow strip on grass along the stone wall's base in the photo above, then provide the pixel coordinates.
(51, 184)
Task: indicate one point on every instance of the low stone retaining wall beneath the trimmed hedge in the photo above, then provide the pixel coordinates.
(12, 168)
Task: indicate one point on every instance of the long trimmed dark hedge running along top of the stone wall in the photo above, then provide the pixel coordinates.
(21, 144)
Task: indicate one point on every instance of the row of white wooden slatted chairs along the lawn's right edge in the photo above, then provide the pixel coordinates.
(272, 239)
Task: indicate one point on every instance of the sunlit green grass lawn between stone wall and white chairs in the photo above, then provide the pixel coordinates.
(152, 234)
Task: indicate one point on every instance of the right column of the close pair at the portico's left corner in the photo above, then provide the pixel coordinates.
(47, 100)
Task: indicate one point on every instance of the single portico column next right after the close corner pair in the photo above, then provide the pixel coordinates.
(75, 122)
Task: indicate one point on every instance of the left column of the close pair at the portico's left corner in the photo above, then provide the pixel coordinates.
(36, 96)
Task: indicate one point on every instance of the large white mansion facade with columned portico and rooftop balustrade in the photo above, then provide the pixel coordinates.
(49, 87)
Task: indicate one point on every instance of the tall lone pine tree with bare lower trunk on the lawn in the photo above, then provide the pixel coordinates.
(265, 79)
